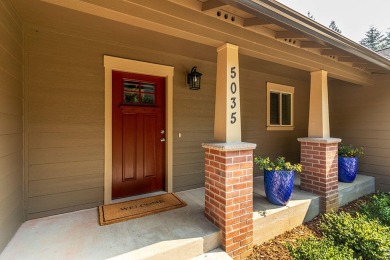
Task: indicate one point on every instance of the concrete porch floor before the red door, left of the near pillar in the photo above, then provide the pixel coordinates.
(77, 235)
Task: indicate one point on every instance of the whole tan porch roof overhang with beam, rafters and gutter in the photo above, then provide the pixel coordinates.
(262, 29)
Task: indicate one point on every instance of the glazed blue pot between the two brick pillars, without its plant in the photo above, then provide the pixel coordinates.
(278, 186)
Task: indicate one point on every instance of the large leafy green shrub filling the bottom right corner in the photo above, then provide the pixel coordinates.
(367, 238)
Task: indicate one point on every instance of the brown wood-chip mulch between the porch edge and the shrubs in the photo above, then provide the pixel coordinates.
(275, 248)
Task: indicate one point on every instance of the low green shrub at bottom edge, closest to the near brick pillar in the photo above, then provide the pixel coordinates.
(309, 249)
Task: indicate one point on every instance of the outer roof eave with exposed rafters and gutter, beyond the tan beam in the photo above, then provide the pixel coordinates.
(291, 26)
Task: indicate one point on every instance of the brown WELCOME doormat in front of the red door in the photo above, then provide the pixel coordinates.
(123, 211)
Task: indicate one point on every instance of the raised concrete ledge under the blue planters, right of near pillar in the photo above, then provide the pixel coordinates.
(270, 220)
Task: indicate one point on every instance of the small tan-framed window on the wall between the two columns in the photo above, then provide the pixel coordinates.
(280, 107)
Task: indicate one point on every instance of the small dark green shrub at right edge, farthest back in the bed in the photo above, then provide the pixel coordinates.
(378, 207)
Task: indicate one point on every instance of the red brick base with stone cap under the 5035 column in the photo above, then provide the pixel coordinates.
(229, 194)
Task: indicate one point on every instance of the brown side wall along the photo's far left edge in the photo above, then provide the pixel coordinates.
(11, 123)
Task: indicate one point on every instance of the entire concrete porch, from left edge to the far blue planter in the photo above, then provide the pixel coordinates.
(182, 233)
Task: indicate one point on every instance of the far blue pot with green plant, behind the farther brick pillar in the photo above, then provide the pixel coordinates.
(348, 162)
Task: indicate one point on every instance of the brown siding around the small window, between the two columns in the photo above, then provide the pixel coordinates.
(254, 122)
